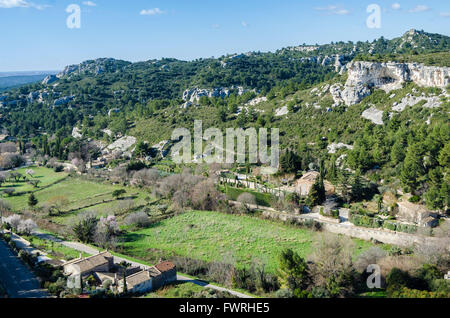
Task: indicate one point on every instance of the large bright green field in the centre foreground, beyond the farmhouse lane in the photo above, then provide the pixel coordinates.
(213, 236)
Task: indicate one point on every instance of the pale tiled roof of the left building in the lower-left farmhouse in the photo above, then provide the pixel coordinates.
(102, 262)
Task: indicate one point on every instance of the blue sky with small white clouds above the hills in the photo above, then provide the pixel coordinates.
(34, 35)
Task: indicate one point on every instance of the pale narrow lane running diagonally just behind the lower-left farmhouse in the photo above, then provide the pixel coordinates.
(89, 250)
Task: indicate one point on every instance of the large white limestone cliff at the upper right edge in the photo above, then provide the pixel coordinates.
(386, 76)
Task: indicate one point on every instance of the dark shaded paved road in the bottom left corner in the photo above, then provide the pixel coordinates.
(16, 277)
